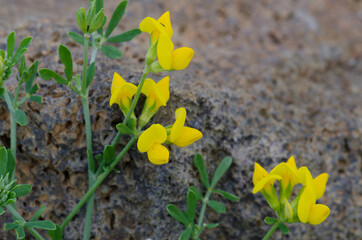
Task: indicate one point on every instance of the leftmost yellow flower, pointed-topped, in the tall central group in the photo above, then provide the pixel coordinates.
(122, 92)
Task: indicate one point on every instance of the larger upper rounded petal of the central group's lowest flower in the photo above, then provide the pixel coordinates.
(153, 135)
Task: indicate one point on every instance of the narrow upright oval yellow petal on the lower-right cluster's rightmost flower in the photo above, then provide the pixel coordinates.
(306, 201)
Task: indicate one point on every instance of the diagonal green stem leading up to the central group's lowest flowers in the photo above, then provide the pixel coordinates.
(97, 183)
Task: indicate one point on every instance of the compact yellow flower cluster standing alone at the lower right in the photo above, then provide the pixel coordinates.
(303, 207)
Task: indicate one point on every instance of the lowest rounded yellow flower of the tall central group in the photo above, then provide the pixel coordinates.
(150, 142)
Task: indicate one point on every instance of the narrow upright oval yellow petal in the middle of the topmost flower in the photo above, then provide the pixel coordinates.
(164, 51)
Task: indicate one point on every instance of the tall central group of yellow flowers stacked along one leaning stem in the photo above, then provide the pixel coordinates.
(160, 56)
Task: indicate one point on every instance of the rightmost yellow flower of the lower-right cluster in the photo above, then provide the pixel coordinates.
(308, 210)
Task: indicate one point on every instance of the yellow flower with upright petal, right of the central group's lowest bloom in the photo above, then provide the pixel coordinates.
(180, 135)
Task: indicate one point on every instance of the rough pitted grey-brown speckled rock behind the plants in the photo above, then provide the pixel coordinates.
(269, 79)
